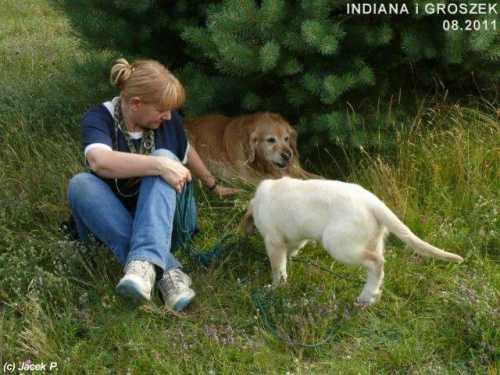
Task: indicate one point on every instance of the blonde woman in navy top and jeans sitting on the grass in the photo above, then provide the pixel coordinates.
(140, 159)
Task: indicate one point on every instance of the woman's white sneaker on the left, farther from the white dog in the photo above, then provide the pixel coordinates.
(138, 280)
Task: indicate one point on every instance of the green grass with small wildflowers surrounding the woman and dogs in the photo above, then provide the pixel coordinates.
(57, 302)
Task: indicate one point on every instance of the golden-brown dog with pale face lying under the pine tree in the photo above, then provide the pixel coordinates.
(253, 147)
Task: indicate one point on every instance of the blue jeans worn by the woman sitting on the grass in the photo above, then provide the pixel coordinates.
(148, 234)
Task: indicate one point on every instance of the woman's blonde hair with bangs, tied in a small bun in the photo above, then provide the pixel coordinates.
(148, 80)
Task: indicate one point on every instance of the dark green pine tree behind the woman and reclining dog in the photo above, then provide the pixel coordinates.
(306, 59)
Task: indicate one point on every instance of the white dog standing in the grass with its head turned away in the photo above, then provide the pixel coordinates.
(350, 222)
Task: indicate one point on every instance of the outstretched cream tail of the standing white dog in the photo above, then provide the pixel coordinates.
(398, 228)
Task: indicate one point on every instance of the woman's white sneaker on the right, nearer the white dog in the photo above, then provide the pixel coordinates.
(175, 288)
